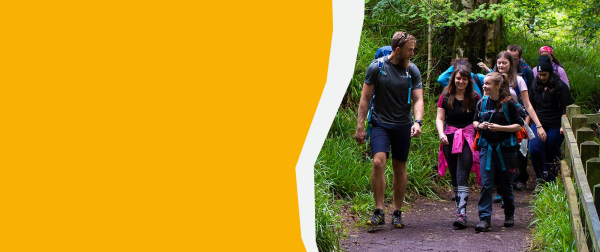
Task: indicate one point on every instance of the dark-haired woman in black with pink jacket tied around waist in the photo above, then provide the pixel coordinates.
(456, 108)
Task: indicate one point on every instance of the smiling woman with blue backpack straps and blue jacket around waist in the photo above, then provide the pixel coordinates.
(497, 118)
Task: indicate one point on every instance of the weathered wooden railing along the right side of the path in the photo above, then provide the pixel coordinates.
(584, 195)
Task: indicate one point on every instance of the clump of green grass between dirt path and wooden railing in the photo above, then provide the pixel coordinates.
(553, 230)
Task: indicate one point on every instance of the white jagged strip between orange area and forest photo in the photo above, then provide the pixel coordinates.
(347, 24)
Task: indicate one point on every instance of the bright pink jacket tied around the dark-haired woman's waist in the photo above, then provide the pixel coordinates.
(466, 133)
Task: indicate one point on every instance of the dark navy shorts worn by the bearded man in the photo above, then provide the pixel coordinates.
(398, 136)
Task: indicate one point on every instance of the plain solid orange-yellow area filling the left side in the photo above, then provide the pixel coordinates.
(157, 126)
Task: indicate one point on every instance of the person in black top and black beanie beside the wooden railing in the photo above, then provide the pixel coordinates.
(550, 97)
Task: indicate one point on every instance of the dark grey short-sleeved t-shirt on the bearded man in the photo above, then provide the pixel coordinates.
(391, 91)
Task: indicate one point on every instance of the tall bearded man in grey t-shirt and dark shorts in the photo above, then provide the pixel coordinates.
(390, 83)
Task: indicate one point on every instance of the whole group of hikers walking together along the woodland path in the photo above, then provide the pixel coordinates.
(485, 124)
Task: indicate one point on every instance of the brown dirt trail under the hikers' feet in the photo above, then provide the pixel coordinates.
(429, 228)
